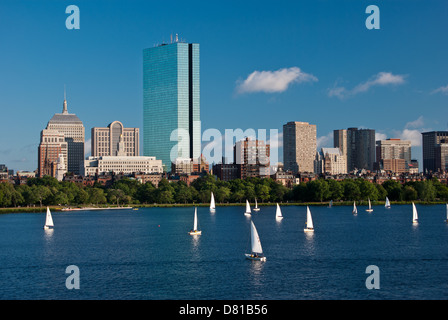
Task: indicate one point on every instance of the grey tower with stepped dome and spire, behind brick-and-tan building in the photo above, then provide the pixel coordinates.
(73, 130)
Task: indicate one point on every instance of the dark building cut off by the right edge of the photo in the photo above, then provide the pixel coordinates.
(434, 151)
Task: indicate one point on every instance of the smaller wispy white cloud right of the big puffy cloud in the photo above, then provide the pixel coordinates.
(380, 79)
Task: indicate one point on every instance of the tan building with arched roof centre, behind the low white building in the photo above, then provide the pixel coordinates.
(105, 141)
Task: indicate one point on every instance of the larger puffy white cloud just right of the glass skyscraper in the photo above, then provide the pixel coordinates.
(273, 81)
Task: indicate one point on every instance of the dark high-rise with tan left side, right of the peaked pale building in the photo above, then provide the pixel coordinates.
(359, 145)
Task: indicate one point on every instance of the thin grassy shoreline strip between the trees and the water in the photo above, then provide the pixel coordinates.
(179, 205)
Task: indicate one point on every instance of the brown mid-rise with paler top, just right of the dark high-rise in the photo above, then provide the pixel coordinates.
(393, 149)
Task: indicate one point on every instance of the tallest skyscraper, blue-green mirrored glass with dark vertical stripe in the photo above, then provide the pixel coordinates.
(171, 108)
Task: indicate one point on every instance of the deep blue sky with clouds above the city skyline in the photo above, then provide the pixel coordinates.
(263, 63)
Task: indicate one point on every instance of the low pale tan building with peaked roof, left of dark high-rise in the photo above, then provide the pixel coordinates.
(331, 161)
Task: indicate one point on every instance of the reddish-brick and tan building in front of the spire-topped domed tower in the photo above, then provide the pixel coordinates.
(52, 146)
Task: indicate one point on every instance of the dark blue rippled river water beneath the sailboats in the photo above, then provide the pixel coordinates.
(148, 254)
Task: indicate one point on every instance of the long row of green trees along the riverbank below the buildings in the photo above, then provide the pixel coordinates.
(49, 191)
